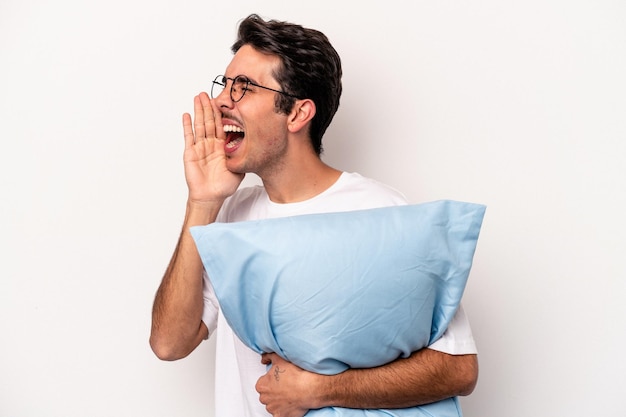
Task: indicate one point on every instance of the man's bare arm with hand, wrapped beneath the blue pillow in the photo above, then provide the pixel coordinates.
(424, 377)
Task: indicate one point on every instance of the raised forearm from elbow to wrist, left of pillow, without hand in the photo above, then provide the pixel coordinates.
(177, 326)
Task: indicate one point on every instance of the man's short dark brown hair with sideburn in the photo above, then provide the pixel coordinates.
(311, 67)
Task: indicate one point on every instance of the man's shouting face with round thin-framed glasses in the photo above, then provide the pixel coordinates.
(262, 145)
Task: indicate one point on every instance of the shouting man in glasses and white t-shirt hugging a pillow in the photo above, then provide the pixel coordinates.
(267, 116)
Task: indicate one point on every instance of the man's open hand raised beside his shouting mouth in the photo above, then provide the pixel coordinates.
(207, 177)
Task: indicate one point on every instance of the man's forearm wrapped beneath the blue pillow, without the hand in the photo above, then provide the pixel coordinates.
(426, 376)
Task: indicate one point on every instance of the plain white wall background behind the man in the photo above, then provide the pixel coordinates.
(519, 105)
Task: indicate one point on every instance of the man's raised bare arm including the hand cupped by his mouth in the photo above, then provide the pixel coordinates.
(177, 327)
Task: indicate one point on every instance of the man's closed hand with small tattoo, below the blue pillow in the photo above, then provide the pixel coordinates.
(286, 390)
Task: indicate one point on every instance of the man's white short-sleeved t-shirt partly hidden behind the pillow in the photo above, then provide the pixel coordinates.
(237, 367)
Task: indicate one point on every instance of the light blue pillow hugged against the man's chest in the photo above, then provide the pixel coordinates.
(353, 289)
